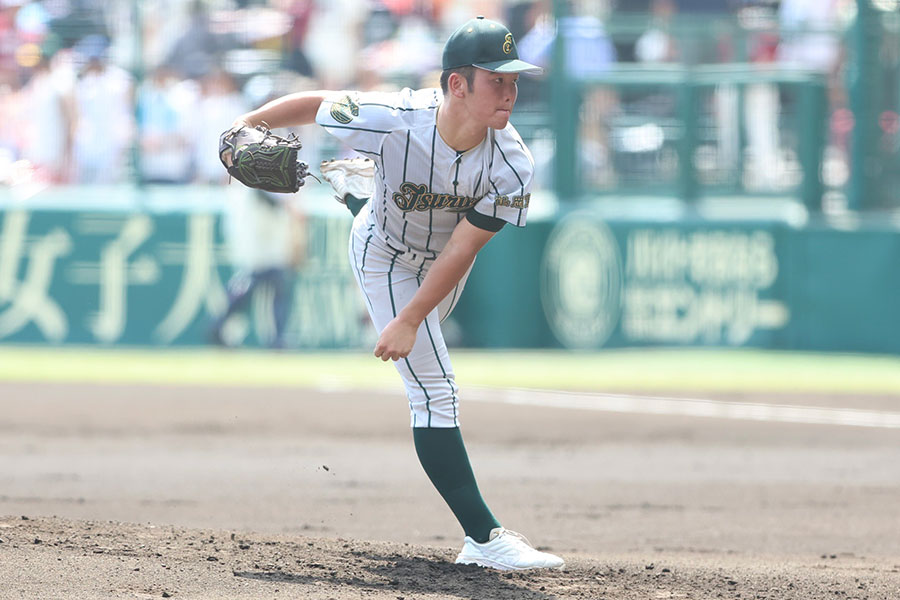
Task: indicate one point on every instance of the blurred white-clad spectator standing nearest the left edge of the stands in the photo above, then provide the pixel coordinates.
(48, 119)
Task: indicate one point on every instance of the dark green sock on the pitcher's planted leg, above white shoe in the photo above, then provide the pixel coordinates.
(443, 456)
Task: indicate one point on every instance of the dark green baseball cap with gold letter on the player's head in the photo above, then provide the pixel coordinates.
(487, 45)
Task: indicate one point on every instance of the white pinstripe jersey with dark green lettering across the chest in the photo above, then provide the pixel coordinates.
(423, 187)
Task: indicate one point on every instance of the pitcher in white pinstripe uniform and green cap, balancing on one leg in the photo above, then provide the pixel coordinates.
(450, 171)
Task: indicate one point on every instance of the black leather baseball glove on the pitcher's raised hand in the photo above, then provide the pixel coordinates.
(262, 160)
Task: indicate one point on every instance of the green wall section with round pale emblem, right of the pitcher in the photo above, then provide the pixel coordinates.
(587, 282)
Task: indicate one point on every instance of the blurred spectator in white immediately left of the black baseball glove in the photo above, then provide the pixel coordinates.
(219, 101)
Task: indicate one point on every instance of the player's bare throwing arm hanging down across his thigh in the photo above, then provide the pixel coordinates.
(397, 339)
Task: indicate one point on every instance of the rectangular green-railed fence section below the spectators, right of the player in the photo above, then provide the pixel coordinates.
(679, 131)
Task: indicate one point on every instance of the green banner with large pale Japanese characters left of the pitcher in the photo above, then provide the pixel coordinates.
(143, 278)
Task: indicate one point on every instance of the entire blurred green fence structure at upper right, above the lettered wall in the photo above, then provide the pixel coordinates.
(696, 125)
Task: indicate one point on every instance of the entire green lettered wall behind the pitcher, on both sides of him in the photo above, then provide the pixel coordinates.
(144, 275)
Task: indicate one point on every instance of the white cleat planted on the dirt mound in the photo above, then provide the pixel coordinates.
(506, 551)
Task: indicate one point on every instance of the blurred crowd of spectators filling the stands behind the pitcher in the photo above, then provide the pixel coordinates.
(102, 91)
